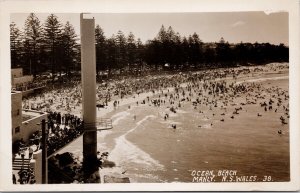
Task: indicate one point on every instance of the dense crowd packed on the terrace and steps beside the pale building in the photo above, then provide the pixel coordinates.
(61, 130)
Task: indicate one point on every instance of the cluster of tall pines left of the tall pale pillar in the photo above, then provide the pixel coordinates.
(51, 47)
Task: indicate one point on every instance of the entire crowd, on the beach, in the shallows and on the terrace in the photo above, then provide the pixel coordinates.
(216, 89)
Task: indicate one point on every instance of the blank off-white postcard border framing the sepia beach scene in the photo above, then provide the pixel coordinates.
(142, 6)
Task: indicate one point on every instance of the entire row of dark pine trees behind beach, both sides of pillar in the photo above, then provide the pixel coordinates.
(54, 47)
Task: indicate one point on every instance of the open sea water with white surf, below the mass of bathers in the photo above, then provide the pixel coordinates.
(150, 150)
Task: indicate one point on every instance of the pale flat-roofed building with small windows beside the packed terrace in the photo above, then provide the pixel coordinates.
(24, 122)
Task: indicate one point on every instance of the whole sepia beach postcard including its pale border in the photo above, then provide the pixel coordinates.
(170, 98)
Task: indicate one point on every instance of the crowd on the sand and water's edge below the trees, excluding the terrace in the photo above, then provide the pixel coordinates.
(214, 84)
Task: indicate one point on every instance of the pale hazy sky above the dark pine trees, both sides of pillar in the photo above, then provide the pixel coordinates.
(234, 27)
